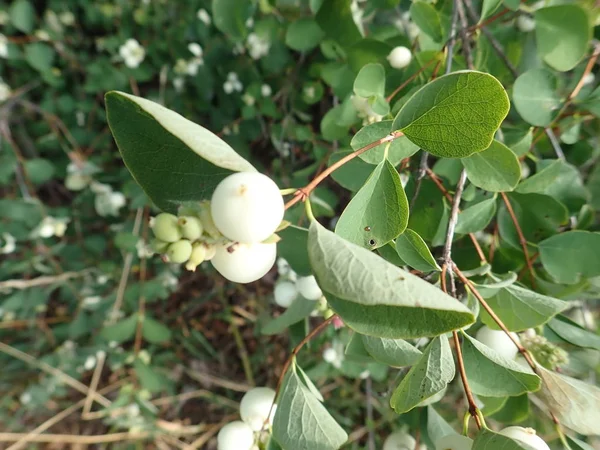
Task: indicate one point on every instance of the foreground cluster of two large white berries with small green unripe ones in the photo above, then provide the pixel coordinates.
(231, 231)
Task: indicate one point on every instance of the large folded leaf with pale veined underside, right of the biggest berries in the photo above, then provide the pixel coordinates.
(376, 298)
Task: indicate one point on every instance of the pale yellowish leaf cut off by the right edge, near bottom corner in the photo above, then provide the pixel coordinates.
(575, 403)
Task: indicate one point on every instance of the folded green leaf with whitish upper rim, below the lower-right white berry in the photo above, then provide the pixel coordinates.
(493, 375)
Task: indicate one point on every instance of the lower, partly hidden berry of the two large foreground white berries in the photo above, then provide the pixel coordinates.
(244, 263)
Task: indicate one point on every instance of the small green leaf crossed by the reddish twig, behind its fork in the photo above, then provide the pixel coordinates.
(398, 149)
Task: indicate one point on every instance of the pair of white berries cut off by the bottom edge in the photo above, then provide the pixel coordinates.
(254, 410)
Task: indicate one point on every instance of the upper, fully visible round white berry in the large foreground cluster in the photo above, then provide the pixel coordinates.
(247, 207)
